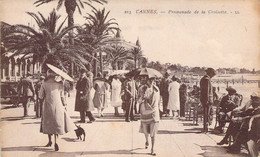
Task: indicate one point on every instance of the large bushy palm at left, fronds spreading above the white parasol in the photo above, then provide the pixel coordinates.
(49, 44)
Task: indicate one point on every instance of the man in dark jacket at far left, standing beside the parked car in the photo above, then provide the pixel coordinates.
(26, 90)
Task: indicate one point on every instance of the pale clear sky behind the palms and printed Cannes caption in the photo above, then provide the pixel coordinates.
(206, 40)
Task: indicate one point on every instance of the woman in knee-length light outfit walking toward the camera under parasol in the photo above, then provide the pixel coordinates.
(149, 110)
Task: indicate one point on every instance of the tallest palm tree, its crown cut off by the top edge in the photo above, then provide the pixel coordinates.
(71, 6)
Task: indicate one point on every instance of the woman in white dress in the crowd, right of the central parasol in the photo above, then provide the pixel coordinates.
(174, 96)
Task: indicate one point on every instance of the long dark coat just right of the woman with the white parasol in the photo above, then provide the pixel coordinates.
(83, 102)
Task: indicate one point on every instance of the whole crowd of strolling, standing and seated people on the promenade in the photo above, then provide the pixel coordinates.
(140, 97)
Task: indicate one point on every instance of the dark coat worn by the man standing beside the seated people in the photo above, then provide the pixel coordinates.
(206, 91)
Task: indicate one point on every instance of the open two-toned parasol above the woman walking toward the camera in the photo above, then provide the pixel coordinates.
(145, 72)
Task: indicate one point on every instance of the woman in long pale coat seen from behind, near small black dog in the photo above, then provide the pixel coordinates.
(55, 120)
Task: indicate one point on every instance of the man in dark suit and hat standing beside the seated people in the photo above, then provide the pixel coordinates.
(206, 96)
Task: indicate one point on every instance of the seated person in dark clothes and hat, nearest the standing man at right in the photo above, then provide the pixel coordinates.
(227, 104)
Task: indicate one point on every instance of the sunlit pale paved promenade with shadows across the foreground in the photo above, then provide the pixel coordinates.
(109, 136)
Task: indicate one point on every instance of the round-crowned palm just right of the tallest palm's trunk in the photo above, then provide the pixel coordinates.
(98, 32)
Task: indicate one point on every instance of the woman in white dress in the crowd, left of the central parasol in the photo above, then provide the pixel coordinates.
(116, 100)
